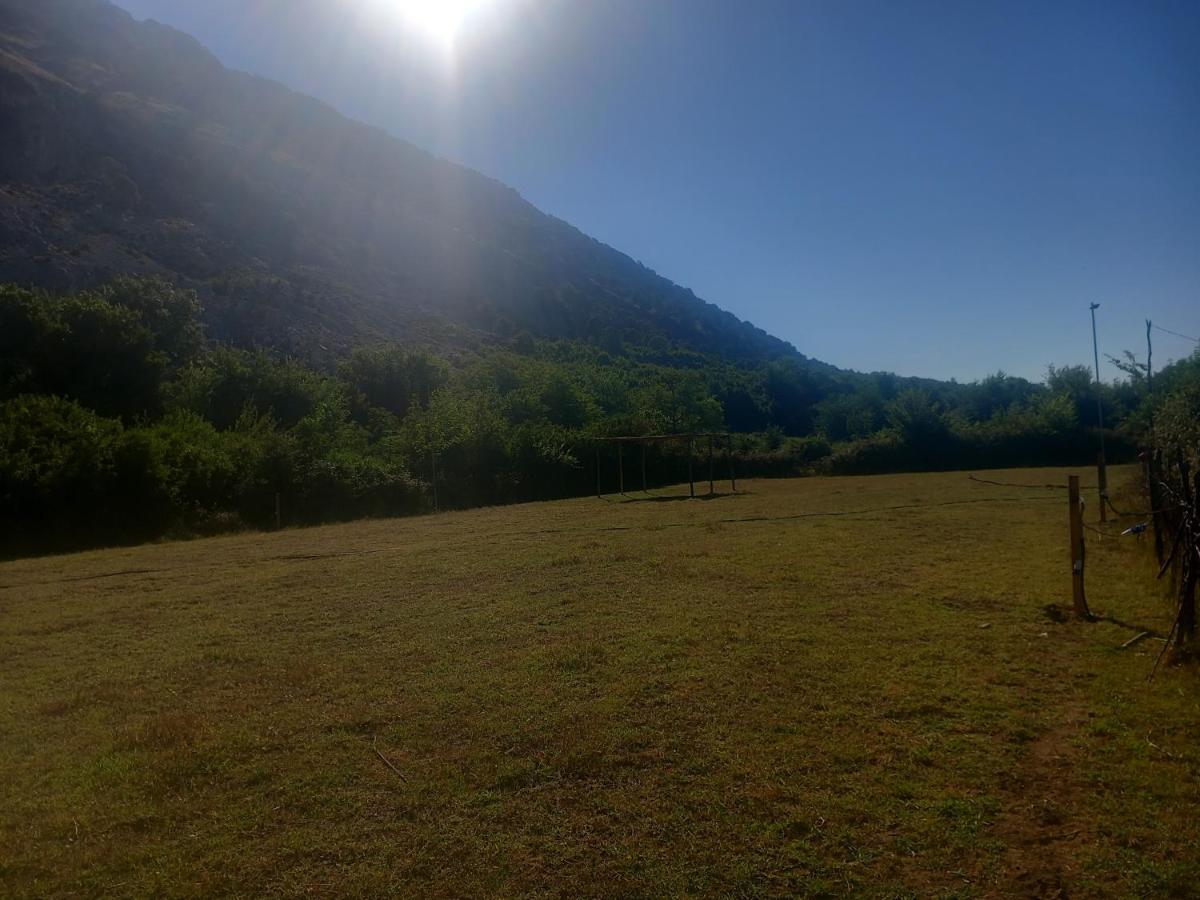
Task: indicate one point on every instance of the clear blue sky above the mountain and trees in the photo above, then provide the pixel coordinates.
(934, 189)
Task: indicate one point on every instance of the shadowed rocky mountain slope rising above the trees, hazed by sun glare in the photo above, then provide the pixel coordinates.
(129, 148)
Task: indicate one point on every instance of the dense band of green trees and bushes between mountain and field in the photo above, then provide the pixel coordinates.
(119, 422)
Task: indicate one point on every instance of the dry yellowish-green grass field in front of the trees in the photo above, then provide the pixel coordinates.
(821, 687)
